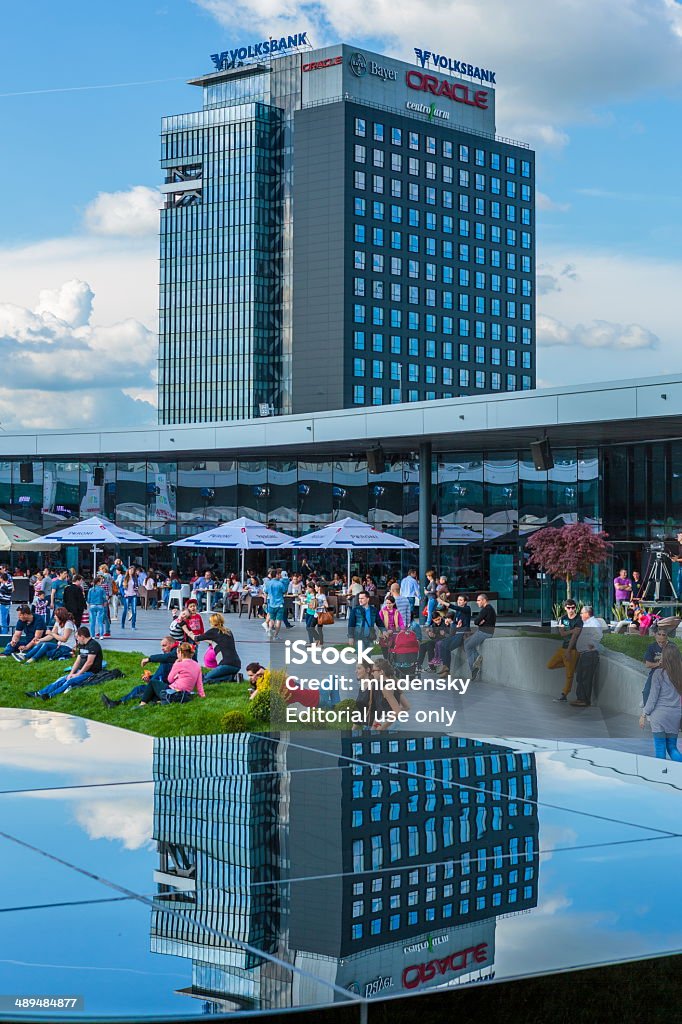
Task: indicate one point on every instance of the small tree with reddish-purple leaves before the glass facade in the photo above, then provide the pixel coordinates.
(568, 552)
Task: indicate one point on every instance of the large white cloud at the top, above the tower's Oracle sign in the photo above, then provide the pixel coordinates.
(557, 63)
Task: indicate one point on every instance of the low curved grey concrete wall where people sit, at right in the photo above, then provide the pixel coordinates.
(521, 663)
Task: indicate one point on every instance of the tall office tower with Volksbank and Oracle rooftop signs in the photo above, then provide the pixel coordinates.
(342, 230)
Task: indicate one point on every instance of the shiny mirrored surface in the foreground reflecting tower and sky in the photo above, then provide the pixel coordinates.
(244, 873)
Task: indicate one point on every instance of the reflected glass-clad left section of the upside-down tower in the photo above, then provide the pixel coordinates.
(221, 835)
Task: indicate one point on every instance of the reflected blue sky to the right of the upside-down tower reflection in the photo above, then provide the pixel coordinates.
(612, 901)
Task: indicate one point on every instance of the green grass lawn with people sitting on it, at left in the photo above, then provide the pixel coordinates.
(176, 720)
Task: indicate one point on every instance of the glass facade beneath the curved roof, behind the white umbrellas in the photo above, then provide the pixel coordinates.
(485, 505)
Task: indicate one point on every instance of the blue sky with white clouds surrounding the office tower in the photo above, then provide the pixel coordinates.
(596, 90)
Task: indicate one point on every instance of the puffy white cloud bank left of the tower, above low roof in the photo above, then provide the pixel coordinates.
(56, 349)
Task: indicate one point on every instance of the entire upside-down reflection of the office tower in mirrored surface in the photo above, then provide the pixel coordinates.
(374, 864)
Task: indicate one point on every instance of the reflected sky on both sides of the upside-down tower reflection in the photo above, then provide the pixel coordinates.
(609, 873)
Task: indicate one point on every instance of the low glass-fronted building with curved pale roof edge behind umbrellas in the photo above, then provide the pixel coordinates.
(456, 476)
